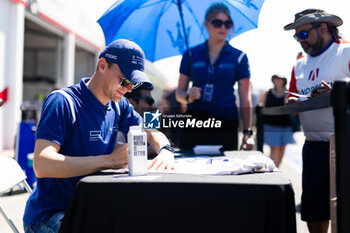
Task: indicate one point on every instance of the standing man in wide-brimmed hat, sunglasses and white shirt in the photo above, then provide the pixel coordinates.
(327, 59)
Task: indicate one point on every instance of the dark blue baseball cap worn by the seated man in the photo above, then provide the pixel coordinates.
(130, 59)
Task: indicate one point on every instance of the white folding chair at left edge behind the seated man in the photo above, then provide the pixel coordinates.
(11, 174)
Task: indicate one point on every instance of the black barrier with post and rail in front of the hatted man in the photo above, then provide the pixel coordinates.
(339, 99)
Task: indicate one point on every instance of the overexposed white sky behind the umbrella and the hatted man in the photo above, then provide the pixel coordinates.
(269, 48)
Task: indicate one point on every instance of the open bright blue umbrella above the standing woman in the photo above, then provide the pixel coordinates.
(165, 28)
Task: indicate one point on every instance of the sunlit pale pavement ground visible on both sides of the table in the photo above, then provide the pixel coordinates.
(291, 167)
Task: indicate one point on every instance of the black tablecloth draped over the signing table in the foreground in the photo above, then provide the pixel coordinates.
(114, 202)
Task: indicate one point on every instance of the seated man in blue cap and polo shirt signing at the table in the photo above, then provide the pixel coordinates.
(77, 132)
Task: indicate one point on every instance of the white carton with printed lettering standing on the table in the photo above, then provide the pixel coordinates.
(137, 151)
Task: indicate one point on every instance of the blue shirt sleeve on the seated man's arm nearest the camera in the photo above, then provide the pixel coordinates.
(56, 119)
